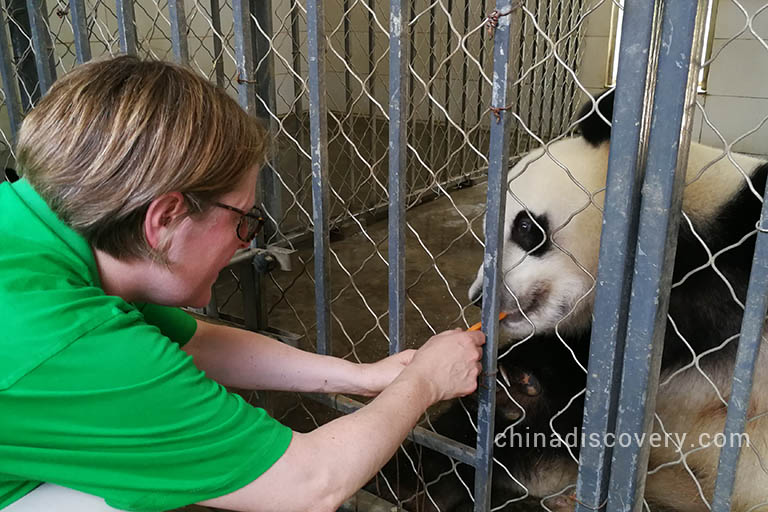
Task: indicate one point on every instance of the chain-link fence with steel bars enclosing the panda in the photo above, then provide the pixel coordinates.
(556, 54)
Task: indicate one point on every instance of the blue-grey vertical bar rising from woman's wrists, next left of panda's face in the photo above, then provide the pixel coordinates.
(398, 170)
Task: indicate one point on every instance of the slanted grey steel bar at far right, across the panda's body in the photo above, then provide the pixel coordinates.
(744, 369)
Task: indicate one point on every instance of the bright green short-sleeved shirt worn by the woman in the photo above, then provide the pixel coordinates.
(96, 393)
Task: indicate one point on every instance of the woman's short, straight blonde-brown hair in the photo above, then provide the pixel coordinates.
(113, 135)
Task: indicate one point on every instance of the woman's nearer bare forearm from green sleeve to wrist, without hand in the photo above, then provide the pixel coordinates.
(327, 465)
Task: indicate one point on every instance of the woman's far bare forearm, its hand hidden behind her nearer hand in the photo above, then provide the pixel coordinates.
(247, 360)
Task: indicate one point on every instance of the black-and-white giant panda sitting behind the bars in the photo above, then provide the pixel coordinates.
(552, 227)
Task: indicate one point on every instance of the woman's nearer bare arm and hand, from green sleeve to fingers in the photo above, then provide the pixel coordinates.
(324, 467)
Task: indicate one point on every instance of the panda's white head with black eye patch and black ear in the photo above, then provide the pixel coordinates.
(552, 226)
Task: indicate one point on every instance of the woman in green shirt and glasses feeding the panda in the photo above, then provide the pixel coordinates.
(138, 182)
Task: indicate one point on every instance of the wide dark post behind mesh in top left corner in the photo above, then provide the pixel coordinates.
(26, 70)
